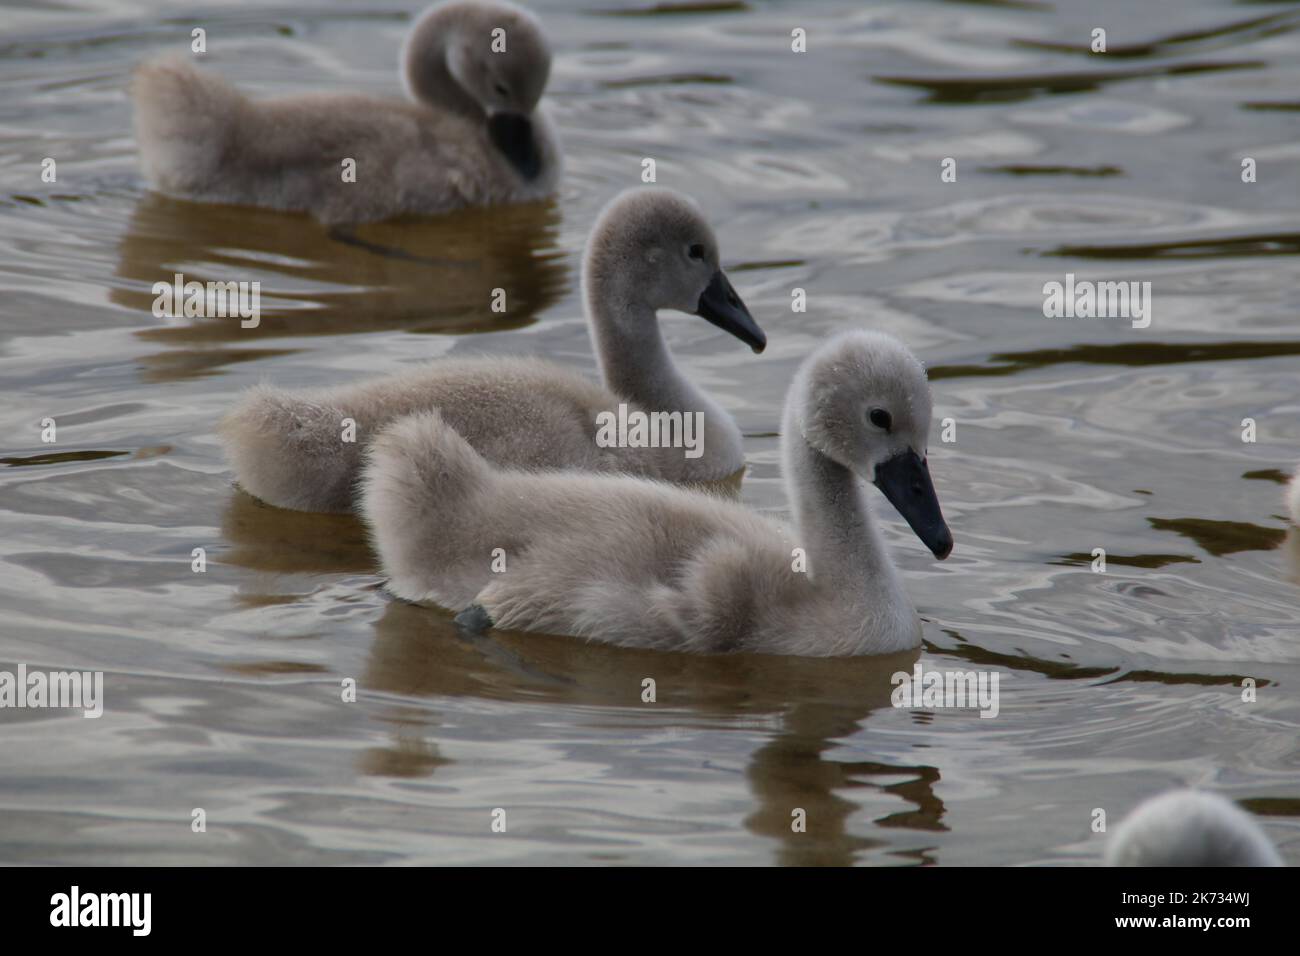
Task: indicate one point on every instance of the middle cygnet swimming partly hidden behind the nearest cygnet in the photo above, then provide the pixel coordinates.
(651, 249)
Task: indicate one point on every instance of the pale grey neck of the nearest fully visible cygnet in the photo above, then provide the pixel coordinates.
(834, 524)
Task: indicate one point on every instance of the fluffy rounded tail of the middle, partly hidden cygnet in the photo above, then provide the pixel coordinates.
(293, 452)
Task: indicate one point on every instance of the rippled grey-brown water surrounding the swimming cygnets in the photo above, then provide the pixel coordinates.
(821, 171)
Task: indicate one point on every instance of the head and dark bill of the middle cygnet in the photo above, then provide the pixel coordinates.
(653, 248)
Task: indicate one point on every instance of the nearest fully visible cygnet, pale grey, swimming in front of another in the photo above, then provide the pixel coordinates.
(643, 564)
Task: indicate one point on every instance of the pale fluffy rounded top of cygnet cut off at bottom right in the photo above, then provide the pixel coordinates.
(1190, 828)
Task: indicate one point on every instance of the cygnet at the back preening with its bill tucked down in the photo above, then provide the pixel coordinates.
(474, 136)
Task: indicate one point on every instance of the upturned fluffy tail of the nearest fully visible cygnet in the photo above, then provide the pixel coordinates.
(422, 498)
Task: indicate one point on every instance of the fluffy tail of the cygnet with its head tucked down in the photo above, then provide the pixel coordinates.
(187, 124)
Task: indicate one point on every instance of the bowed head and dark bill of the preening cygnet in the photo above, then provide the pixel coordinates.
(499, 62)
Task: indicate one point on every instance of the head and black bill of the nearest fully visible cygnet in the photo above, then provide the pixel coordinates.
(863, 400)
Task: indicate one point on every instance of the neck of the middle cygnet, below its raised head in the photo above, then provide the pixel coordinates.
(636, 364)
